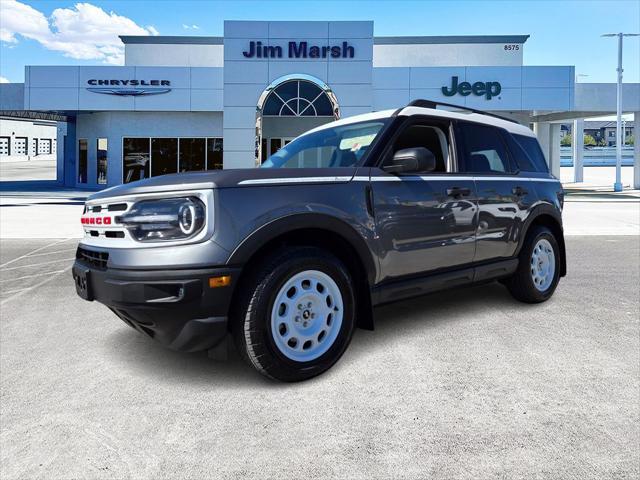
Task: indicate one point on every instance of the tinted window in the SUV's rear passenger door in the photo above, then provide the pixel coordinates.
(485, 151)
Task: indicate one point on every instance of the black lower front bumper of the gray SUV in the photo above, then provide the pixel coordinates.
(175, 307)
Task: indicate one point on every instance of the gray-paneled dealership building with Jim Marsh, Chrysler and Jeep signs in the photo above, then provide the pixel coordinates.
(201, 103)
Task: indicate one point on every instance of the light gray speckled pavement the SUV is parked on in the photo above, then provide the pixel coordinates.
(462, 384)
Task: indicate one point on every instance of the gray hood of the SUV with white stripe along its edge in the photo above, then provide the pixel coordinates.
(241, 177)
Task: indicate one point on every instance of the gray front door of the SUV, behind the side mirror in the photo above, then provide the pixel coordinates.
(425, 222)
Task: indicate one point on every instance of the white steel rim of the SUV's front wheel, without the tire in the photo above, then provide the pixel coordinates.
(307, 315)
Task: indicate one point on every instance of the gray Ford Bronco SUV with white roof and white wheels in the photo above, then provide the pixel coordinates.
(290, 258)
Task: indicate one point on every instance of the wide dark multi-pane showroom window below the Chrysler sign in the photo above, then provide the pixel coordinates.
(144, 157)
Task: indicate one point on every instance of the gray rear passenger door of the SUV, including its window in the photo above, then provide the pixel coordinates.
(503, 197)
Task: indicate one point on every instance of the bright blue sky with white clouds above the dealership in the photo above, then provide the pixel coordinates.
(48, 32)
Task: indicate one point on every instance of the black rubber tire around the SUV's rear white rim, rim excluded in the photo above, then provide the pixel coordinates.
(521, 284)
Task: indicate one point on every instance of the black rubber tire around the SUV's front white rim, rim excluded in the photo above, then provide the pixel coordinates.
(251, 323)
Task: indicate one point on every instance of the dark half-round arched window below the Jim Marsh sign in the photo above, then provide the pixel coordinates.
(298, 98)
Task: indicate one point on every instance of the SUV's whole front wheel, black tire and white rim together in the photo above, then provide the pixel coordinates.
(298, 314)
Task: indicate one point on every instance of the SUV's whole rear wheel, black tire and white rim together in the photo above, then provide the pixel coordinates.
(538, 269)
